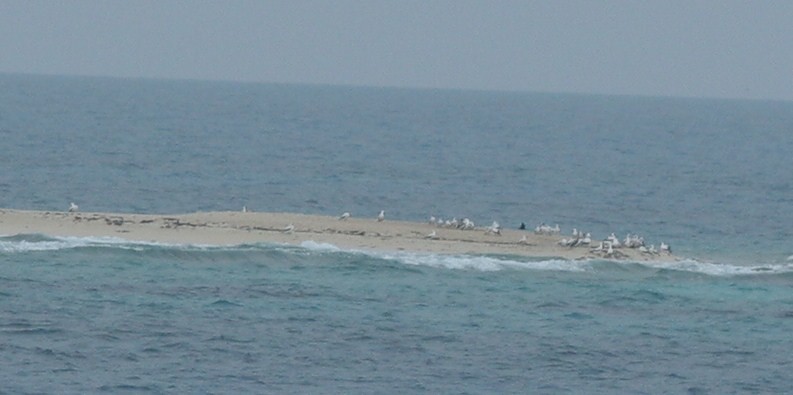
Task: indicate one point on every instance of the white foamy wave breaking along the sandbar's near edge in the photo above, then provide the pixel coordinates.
(33, 243)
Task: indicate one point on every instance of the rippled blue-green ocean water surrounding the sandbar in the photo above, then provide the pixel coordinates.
(86, 315)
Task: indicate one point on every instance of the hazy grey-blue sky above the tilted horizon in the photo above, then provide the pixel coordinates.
(717, 49)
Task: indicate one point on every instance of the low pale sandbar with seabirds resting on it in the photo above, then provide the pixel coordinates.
(234, 228)
